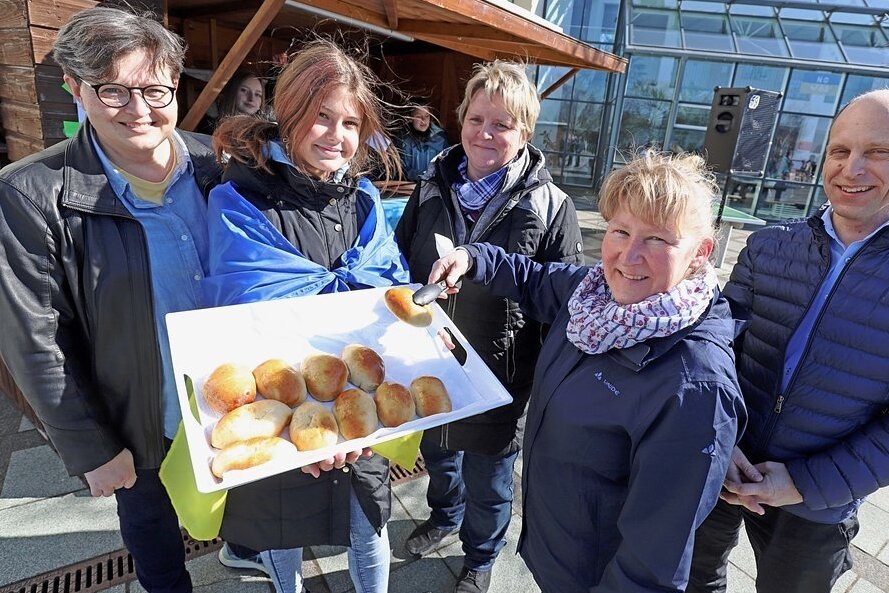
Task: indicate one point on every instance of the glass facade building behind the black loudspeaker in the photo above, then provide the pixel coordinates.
(818, 54)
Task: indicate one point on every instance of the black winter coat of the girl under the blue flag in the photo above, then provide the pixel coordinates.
(294, 509)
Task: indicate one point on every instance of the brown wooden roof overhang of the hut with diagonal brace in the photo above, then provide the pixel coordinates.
(484, 29)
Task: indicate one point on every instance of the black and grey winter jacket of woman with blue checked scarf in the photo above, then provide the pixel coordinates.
(530, 216)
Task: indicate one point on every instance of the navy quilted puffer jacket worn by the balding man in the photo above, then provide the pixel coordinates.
(831, 428)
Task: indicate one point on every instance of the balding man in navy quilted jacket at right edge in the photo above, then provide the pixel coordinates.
(813, 367)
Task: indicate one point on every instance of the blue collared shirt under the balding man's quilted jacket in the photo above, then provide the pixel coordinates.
(840, 256)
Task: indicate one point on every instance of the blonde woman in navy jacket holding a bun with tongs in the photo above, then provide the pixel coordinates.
(636, 406)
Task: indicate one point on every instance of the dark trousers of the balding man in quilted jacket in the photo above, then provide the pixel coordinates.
(793, 555)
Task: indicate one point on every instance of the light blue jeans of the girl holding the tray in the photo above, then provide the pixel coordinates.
(368, 557)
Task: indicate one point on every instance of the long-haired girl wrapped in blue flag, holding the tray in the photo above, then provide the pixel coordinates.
(293, 217)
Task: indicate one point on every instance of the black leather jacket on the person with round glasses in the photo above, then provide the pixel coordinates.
(76, 302)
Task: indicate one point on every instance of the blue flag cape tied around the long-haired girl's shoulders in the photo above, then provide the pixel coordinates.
(250, 260)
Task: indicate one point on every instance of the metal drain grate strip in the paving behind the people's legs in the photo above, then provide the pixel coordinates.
(116, 568)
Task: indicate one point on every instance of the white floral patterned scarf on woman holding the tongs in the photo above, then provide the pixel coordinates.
(598, 323)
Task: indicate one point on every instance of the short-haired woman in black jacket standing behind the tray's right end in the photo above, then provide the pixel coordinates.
(493, 186)
